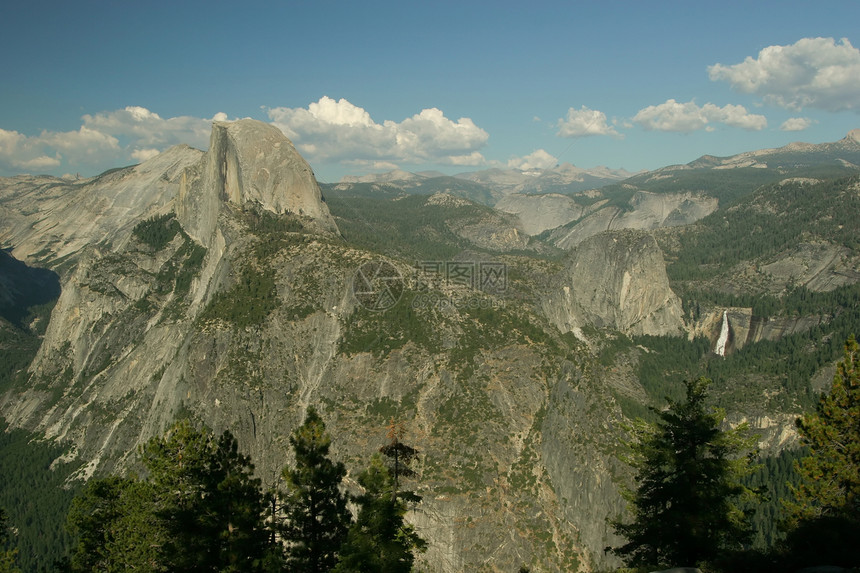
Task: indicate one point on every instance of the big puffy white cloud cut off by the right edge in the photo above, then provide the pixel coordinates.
(813, 72)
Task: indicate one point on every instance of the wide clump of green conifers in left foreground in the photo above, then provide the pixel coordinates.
(198, 510)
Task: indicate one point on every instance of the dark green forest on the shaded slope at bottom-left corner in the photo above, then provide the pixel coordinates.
(36, 493)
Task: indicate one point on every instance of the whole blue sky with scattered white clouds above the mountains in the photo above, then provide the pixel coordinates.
(451, 86)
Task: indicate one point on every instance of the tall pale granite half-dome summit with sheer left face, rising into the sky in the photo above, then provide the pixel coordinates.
(248, 162)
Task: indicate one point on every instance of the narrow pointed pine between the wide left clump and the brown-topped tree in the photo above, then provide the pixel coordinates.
(316, 515)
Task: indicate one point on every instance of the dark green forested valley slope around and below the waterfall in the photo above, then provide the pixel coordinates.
(781, 368)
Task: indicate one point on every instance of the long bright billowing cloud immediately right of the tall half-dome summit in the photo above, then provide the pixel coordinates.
(330, 130)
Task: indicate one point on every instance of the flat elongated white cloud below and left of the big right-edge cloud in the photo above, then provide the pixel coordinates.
(687, 117)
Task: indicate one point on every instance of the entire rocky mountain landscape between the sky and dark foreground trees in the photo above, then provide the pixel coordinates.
(221, 285)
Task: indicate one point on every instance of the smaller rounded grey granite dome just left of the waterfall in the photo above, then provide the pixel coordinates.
(616, 279)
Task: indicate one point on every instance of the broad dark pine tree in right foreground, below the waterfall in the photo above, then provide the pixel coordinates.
(687, 475)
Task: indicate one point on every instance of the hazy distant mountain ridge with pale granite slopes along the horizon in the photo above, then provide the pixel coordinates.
(575, 203)
